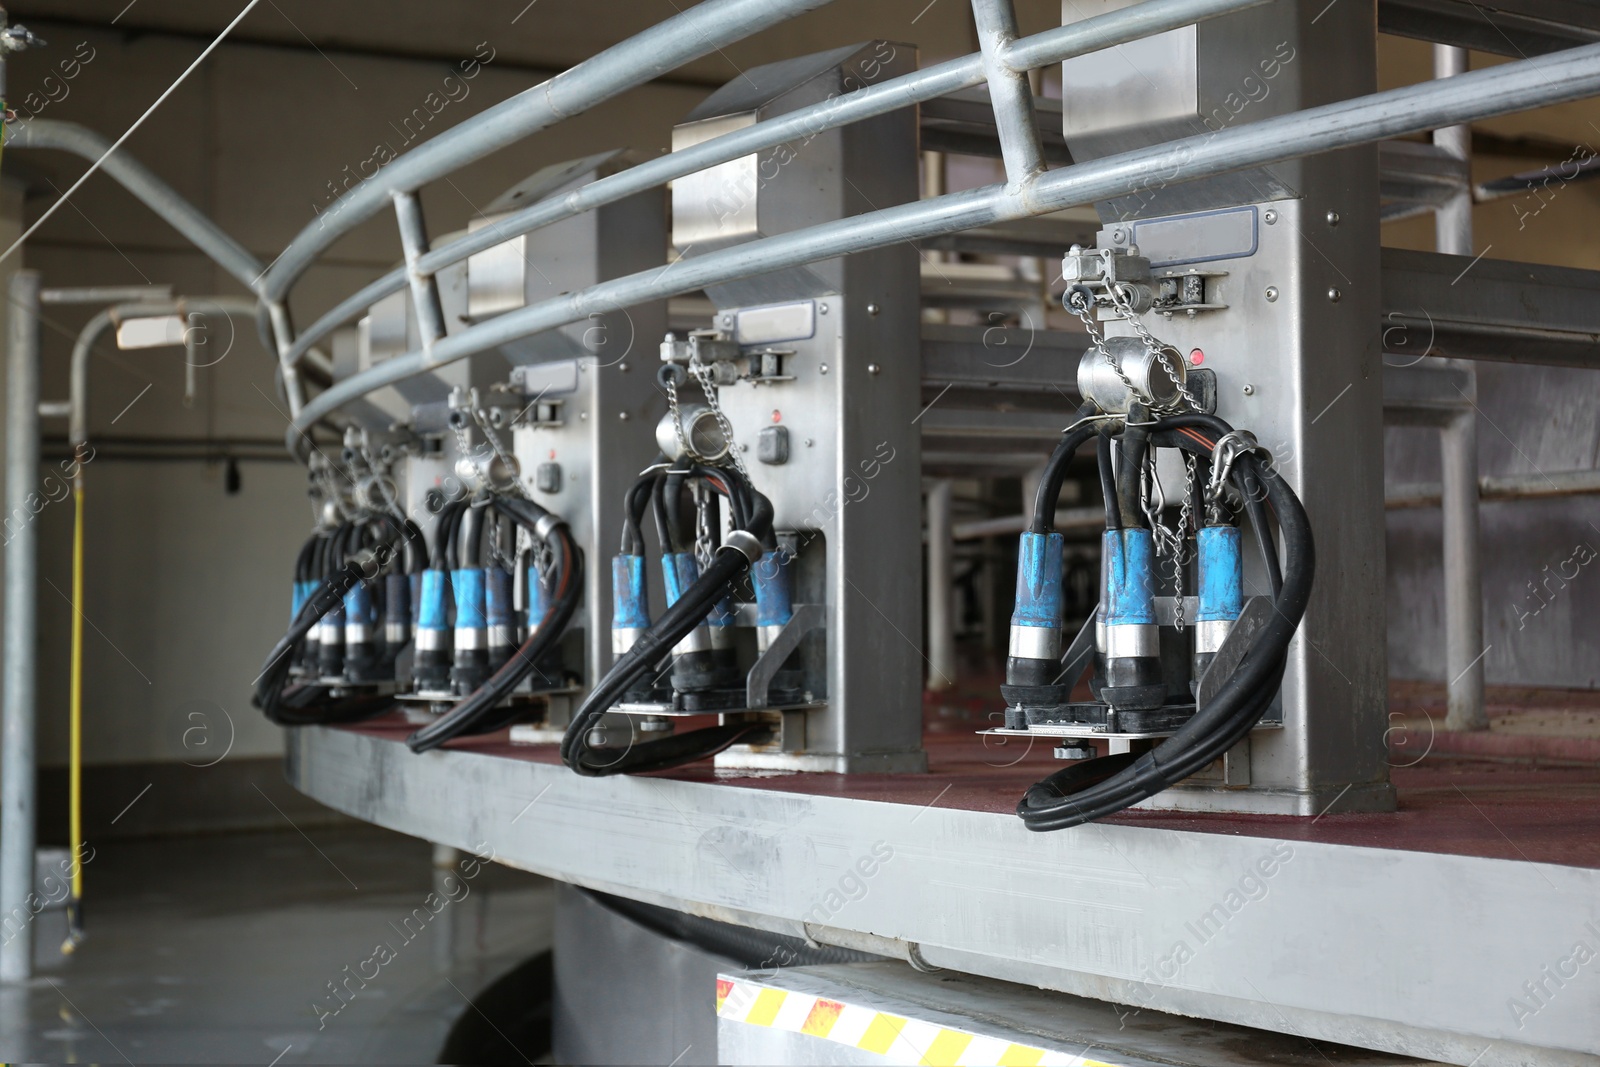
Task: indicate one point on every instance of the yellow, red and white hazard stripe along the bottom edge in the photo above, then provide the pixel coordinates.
(897, 1039)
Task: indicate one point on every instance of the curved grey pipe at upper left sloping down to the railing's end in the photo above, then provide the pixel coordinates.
(137, 178)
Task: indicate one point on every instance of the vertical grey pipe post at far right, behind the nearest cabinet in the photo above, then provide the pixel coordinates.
(1458, 447)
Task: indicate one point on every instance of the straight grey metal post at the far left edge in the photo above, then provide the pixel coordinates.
(22, 559)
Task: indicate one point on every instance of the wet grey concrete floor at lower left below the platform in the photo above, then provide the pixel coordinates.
(226, 949)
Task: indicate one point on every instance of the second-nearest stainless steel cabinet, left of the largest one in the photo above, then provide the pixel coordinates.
(854, 482)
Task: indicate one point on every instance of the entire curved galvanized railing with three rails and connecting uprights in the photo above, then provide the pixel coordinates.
(1030, 190)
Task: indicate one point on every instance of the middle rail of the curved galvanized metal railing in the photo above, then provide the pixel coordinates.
(1103, 31)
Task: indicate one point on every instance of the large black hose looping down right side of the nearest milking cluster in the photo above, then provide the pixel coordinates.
(1097, 788)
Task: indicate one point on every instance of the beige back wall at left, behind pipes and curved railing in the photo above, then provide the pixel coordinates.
(186, 585)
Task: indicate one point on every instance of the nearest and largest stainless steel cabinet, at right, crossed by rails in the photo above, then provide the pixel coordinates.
(1305, 366)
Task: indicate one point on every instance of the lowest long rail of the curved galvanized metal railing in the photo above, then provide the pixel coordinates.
(1553, 79)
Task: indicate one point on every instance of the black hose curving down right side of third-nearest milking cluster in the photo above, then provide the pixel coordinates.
(481, 711)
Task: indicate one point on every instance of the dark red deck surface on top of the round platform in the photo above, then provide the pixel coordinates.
(1494, 802)
